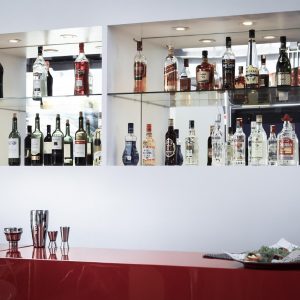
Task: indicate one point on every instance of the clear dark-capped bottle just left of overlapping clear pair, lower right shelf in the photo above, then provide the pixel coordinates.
(239, 144)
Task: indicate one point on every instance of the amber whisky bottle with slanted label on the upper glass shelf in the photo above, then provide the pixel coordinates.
(171, 71)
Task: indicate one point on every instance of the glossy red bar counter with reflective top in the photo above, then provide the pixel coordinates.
(90, 274)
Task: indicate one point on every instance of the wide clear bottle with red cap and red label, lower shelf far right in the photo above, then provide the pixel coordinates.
(286, 147)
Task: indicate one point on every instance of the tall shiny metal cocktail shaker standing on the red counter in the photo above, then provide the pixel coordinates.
(39, 226)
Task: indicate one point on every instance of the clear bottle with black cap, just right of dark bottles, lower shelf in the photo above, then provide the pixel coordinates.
(191, 146)
